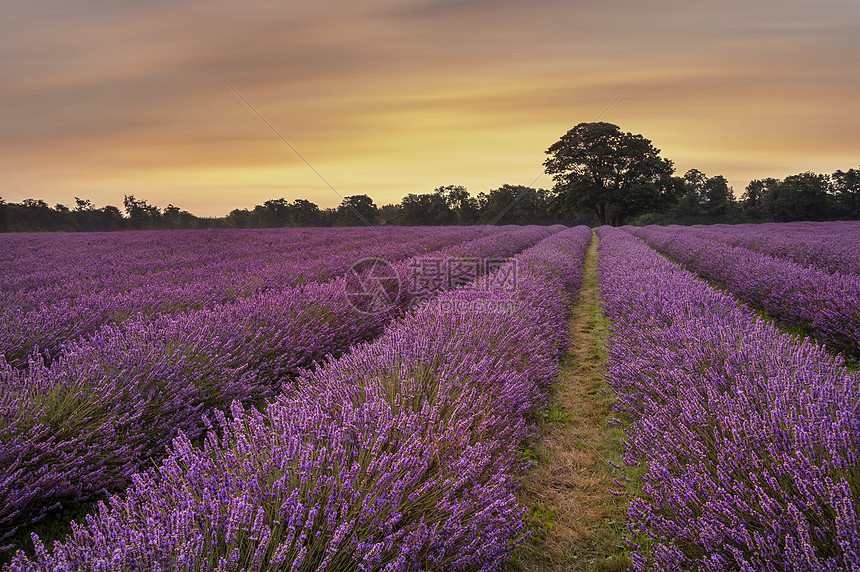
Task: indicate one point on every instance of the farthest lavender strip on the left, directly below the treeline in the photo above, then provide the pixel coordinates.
(43, 269)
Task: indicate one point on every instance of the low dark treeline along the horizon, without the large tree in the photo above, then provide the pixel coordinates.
(697, 199)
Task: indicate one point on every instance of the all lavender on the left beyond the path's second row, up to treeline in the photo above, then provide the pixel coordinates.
(51, 293)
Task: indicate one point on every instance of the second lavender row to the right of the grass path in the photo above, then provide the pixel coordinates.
(827, 305)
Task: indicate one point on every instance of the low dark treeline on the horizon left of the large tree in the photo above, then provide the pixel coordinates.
(450, 205)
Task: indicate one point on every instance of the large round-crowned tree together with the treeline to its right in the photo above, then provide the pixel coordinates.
(621, 178)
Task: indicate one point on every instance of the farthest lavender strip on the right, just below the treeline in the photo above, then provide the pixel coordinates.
(829, 246)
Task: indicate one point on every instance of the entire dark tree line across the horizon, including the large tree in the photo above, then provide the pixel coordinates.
(601, 174)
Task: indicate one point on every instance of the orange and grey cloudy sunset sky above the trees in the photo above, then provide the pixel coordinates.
(105, 98)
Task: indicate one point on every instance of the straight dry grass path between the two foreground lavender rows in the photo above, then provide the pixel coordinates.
(576, 523)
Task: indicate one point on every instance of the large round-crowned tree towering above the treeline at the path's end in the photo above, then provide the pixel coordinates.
(618, 175)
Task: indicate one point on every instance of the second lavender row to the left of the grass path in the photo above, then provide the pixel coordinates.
(109, 403)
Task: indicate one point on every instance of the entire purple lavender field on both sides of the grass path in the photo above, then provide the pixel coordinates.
(359, 398)
